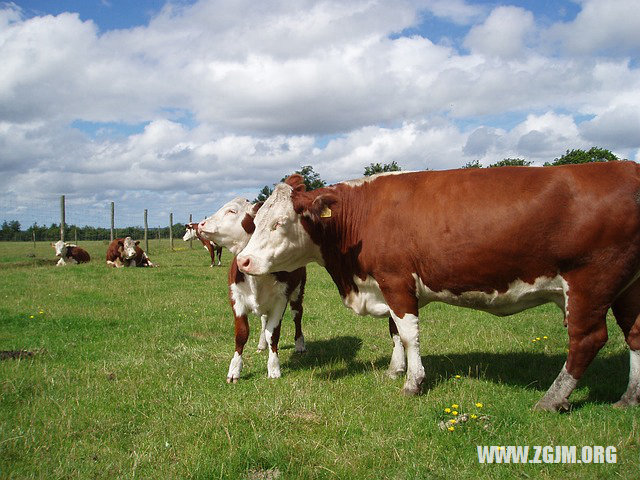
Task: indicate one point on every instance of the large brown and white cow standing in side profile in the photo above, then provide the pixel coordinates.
(500, 240)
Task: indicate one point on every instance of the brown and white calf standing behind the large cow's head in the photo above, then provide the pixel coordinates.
(264, 295)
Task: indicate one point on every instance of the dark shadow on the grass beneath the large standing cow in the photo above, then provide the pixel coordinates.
(606, 378)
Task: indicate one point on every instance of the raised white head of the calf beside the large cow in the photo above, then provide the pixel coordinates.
(232, 225)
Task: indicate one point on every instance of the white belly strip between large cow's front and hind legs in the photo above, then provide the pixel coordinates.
(518, 297)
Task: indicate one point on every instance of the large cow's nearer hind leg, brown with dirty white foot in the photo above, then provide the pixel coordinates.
(587, 335)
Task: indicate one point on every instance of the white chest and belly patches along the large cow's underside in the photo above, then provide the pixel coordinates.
(368, 300)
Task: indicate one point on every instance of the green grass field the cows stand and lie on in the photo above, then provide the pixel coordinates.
(127, 380)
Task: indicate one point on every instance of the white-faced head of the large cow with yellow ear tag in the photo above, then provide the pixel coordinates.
(281, 242)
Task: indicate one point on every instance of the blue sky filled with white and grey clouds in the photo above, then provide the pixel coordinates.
(179, 106)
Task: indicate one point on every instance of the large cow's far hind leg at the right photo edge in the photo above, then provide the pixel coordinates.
(626, 309)
